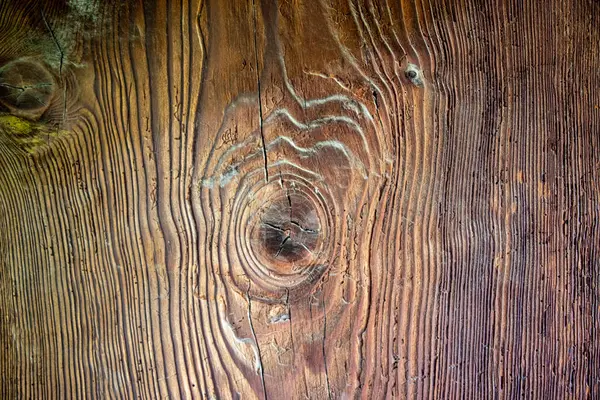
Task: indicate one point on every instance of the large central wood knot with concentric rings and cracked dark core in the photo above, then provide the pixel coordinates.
(284, 244)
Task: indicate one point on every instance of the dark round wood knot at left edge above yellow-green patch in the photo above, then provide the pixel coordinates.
(26, 88)
